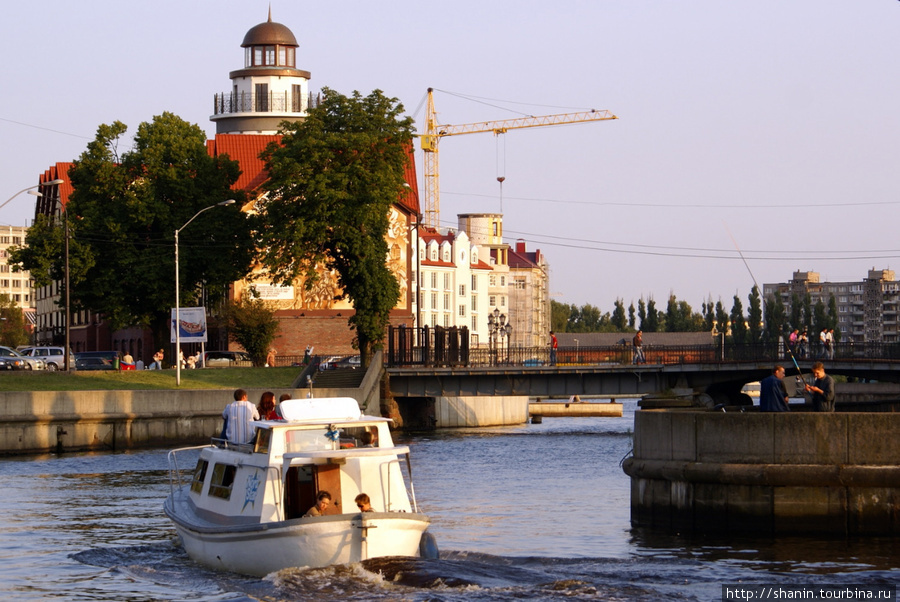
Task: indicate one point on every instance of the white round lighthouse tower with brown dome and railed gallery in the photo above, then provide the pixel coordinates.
(269, 89)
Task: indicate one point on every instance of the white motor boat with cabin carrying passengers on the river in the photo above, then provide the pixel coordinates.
(242, 508)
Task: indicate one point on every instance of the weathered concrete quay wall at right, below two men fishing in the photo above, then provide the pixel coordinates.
(835, 473)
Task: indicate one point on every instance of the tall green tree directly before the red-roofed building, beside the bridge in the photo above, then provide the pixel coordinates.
(332, 181)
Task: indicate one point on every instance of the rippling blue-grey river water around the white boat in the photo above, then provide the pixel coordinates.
(525, 512)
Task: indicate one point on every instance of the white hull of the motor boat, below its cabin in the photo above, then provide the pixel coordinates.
(262, 548)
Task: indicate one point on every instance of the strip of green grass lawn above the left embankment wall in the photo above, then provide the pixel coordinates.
(209, 378)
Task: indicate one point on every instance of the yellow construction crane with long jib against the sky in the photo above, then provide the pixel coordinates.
(435, 131)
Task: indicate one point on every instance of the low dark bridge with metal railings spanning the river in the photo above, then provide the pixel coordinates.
(713, 373)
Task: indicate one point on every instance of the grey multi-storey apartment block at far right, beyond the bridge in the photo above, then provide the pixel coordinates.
(867, 310)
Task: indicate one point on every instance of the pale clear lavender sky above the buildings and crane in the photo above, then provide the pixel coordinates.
(772, 126)
